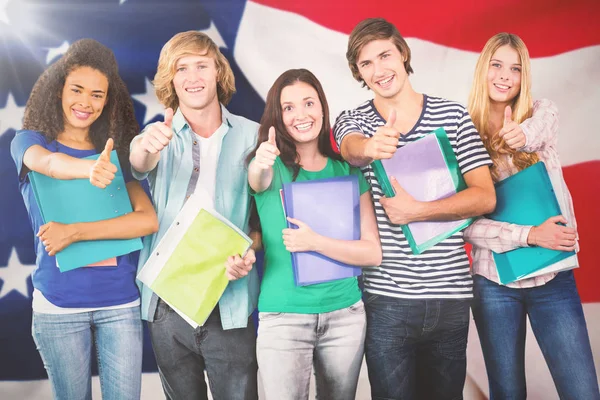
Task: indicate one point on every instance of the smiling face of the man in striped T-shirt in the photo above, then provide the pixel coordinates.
(381, 66)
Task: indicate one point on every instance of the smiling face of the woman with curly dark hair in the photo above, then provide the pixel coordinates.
(83, 98)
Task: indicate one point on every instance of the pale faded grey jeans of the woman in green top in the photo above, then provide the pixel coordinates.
(290, 344)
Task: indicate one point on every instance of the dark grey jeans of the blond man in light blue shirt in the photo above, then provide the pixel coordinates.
(183, 353)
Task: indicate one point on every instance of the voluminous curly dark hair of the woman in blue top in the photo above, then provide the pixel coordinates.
(44, 113)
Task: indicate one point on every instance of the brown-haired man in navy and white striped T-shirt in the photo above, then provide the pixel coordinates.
(417, 305)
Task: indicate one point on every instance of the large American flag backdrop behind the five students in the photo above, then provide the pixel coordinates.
(261, 39)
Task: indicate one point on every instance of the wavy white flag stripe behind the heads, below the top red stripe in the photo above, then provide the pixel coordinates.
(571, 80)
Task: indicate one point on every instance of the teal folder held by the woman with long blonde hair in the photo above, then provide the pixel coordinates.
(526, 198)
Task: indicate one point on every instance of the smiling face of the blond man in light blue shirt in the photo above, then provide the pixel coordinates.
(195, 82)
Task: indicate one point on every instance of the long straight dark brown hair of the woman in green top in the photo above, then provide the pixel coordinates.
(272, 117)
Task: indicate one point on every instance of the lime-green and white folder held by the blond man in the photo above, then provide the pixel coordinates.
(187, 268)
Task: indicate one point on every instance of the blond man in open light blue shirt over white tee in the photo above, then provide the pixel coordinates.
(199, 149)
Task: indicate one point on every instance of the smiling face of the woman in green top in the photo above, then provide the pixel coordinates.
(301, 112)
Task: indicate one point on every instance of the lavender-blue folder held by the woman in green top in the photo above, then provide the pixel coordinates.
(331, 207)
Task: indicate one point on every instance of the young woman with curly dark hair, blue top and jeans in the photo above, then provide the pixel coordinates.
(80, 107)
